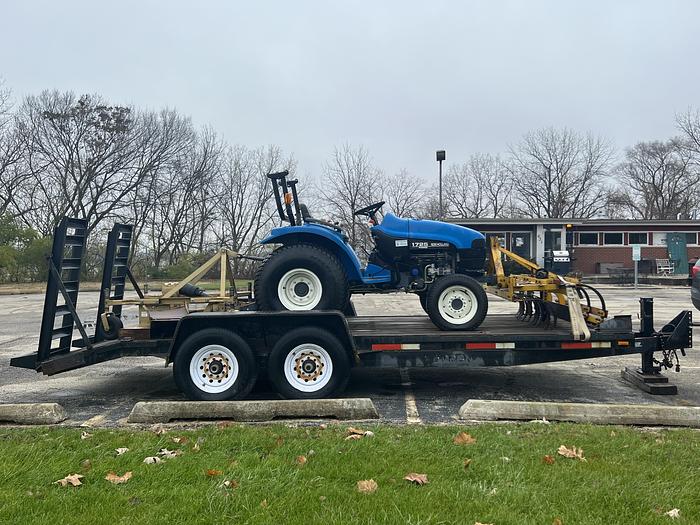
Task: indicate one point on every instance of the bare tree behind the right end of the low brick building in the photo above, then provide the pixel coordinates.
(659, 181)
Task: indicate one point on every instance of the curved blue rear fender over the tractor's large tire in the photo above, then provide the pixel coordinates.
(319, 236)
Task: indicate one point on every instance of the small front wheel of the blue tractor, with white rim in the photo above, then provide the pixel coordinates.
(457, 302)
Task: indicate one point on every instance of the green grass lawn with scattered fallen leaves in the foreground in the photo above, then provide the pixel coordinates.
(629, 476)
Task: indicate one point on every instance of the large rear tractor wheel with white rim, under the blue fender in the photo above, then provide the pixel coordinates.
(301, 277)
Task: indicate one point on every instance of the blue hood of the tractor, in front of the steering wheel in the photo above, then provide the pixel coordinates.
(460, 237)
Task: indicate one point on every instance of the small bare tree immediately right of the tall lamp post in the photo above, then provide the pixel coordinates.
(481, 187)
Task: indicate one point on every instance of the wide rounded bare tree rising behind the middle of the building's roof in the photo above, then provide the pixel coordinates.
(559, 173)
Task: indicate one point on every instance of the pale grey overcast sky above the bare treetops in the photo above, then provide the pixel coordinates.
(401, 78)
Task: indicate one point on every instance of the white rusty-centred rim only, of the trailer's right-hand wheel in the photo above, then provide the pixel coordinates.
(308, 367)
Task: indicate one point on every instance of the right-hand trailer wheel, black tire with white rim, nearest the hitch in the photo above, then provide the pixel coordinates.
(308, 363)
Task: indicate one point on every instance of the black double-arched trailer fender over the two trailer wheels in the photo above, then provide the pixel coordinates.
(261, 330)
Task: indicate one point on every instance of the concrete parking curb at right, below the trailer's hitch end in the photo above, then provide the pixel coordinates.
(607, 414)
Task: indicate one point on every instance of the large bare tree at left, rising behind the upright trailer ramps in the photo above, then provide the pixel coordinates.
(86, 157)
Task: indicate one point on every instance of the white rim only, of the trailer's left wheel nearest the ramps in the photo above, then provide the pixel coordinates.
(213, 369)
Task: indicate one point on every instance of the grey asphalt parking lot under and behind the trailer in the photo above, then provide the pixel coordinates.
(104, 394)
